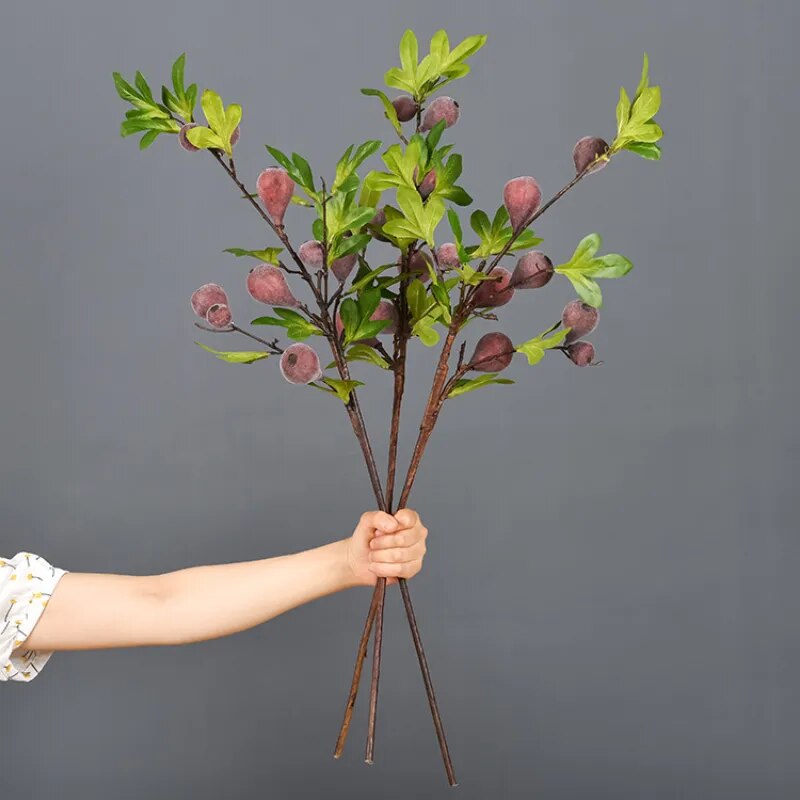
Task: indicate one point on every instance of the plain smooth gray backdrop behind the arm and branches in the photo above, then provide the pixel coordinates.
(610, 599)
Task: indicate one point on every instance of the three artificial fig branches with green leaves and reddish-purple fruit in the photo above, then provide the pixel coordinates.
(364, 306)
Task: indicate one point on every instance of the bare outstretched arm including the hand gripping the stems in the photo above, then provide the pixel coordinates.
(99, 611)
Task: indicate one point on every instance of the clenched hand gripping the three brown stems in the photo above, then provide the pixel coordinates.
(386, 546)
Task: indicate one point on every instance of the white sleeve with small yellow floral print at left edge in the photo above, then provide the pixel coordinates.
(26, 584)
